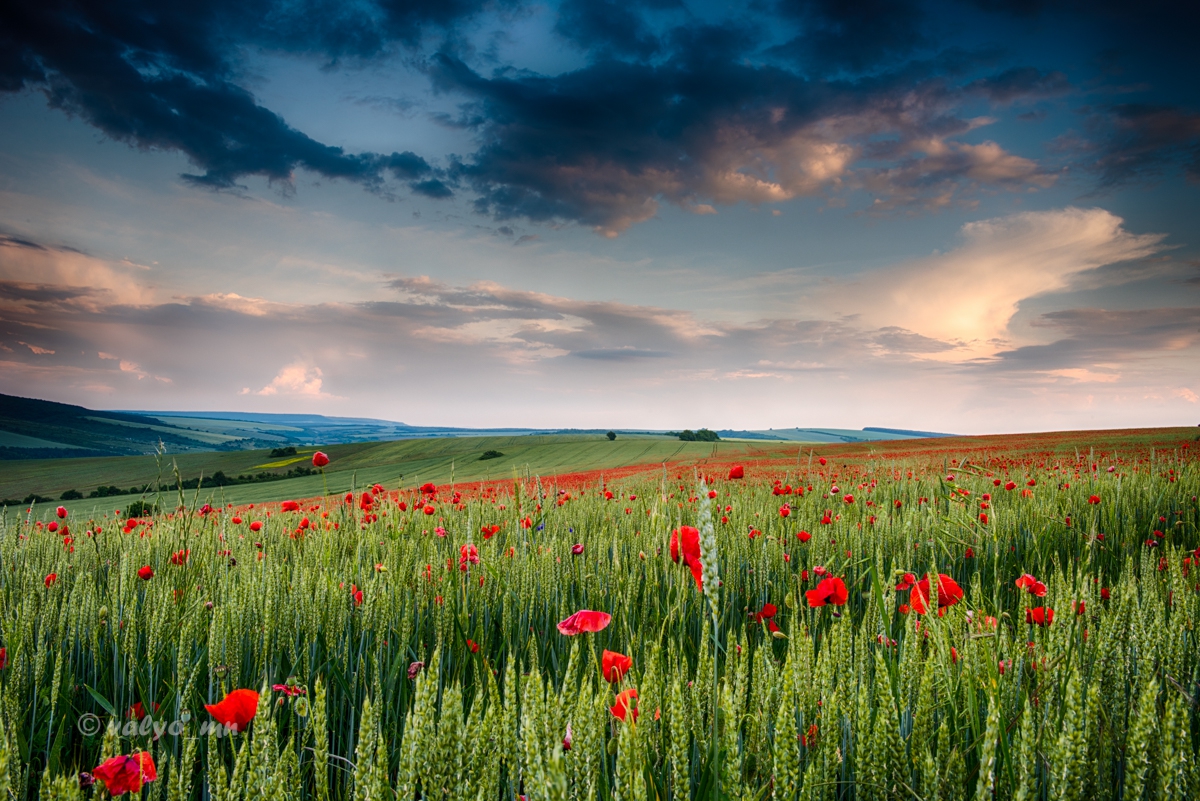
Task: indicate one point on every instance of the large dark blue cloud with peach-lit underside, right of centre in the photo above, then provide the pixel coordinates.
(603, 144)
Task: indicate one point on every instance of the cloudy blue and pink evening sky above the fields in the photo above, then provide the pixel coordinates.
(975, 216)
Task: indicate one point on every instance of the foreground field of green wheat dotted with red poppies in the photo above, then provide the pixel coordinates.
(429, 676)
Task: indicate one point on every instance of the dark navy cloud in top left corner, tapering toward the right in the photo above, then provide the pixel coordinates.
(164, 76)
